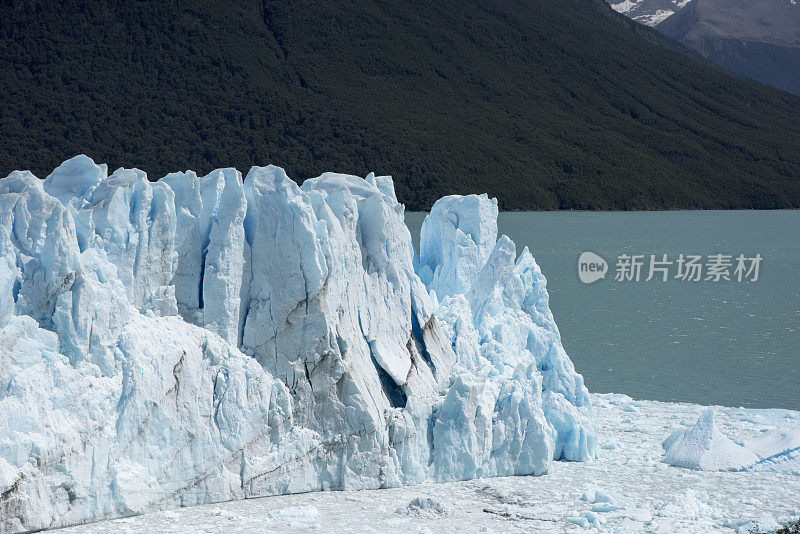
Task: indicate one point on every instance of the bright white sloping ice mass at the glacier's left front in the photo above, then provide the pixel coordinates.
(104, 410)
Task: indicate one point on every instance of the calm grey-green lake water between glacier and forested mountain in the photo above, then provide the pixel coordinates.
(728, 342)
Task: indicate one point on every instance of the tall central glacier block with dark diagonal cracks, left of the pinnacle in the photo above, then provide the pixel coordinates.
(341, 317)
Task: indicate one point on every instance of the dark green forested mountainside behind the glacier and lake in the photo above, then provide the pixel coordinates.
(546, 105)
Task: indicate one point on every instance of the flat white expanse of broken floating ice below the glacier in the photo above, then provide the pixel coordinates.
(626, 489)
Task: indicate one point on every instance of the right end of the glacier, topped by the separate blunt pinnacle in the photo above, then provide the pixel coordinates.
(494, 306)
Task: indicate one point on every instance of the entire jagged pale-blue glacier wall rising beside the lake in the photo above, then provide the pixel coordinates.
(201, 339)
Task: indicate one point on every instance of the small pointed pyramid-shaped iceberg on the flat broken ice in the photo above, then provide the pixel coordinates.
(704, 447)
